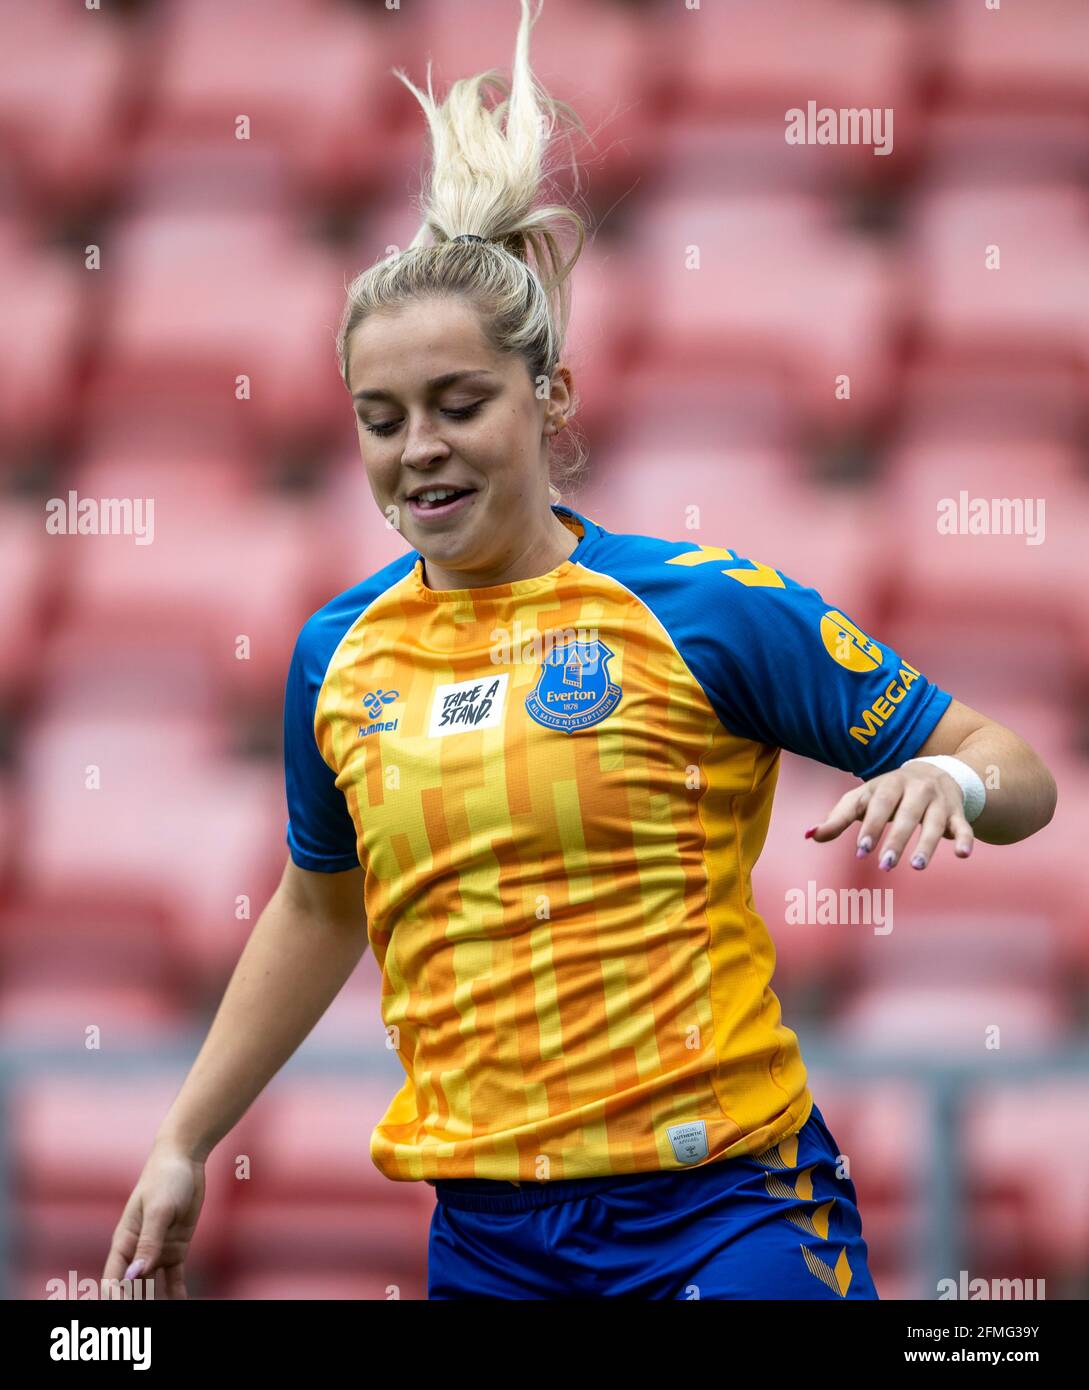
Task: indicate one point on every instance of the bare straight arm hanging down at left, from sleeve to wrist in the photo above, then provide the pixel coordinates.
(302, 950)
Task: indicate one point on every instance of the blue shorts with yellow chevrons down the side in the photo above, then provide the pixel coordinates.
(778, 1227)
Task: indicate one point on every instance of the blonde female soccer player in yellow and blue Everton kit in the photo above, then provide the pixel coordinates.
(542, 757)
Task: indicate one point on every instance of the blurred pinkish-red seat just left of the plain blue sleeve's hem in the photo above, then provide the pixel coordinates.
(175, 819)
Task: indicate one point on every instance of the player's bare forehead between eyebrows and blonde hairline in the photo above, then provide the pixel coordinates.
(419, 341)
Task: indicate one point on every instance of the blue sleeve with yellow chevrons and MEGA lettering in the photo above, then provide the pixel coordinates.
(785, 667)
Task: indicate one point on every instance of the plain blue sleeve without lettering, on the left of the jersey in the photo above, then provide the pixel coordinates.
(322, 835)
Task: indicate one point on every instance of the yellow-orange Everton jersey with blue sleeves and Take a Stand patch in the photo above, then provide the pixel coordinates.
(558, 789)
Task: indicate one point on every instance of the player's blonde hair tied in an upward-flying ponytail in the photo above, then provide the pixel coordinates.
(487, 167)
